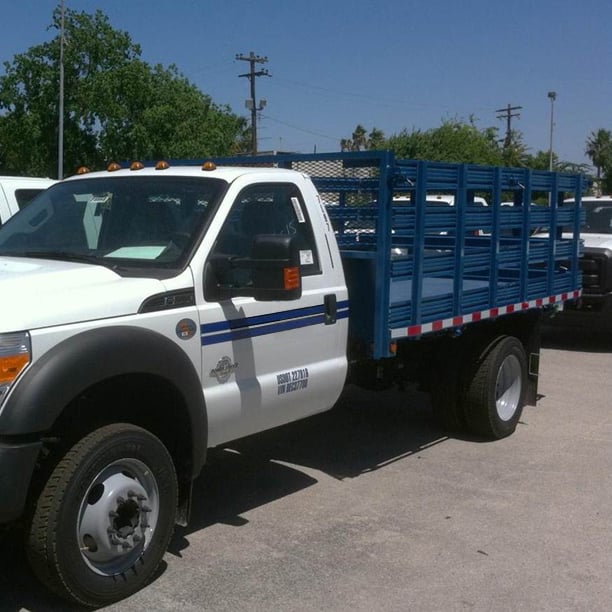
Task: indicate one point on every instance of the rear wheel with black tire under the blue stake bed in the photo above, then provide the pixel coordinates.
(495, 393)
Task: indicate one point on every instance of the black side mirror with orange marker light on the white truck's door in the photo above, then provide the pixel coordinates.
(271, 273)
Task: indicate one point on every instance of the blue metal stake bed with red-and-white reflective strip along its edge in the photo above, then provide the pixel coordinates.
(428, 246)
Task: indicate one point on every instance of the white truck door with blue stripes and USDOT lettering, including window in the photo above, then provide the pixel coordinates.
(268, 363)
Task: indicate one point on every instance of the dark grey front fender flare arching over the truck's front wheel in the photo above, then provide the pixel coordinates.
(93, 356)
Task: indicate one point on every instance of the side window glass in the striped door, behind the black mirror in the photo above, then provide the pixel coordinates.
(276, 209)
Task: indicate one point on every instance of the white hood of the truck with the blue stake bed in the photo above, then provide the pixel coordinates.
(38, 293)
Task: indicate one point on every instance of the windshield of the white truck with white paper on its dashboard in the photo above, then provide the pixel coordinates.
(135, 225)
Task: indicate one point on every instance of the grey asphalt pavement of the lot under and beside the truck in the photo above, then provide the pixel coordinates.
(371, 507)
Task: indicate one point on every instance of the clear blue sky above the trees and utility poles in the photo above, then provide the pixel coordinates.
(390, 64)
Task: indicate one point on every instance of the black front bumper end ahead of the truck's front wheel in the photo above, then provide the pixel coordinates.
(17, 463)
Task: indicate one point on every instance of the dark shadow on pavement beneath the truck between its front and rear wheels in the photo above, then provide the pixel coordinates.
(364, 432)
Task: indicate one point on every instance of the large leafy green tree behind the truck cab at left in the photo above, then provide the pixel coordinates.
(116, 105)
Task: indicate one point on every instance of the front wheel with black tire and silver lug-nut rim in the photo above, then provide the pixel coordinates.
(105, 516)
